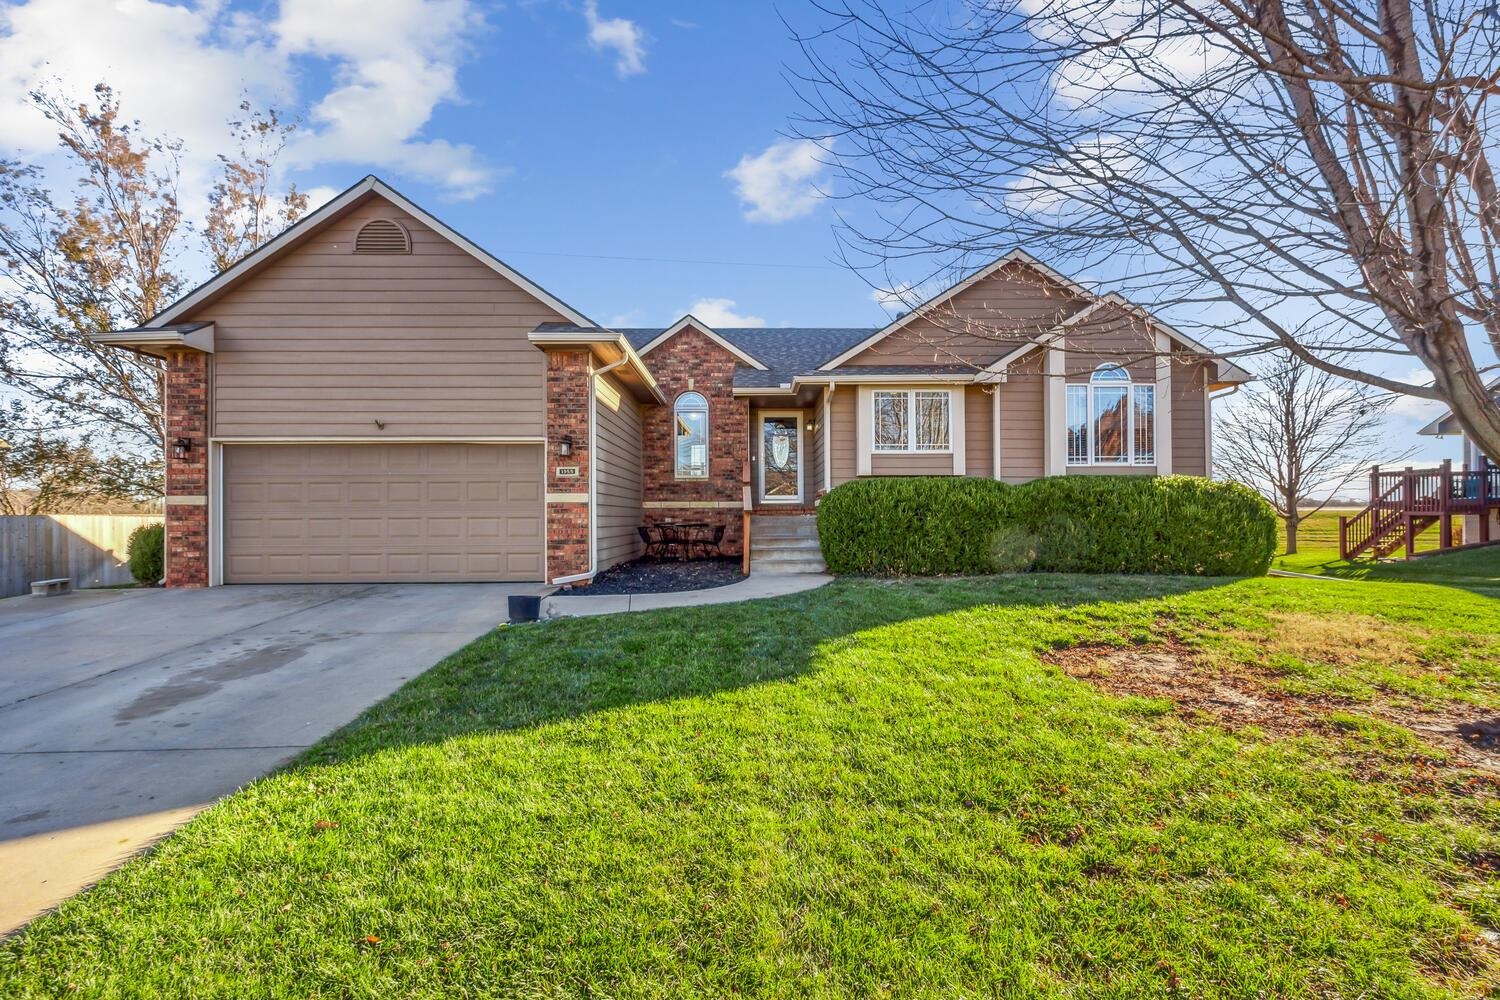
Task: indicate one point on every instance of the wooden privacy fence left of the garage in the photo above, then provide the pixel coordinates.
(88, 549)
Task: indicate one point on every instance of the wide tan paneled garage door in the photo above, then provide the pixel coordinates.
(370, 513)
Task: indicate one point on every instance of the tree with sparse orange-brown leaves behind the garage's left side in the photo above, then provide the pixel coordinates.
(112, 257)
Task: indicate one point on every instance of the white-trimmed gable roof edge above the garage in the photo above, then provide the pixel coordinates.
(311, 223)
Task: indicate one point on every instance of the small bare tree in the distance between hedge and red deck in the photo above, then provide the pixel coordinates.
(1301, 437)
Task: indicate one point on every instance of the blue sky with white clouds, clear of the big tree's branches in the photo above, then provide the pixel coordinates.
(553, 133)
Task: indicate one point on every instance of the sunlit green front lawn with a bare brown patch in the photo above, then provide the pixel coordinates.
(875, 789)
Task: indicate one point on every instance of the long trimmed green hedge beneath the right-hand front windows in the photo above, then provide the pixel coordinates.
(1067, 524)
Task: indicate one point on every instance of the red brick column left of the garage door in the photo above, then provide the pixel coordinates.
(185, 404)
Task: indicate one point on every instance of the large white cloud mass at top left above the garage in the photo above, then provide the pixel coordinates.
(184, 68)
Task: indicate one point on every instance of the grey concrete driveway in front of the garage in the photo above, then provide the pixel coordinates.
(124, 713)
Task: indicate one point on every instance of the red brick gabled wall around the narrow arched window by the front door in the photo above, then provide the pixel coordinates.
(691, 362)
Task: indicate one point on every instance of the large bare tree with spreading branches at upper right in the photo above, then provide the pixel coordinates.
(1306, 178)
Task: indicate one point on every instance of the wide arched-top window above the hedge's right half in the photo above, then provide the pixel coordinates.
(1112, 421)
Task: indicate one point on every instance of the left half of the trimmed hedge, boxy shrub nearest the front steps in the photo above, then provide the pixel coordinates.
(913, 525)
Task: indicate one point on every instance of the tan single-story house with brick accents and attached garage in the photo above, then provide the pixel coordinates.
(371, 397)
